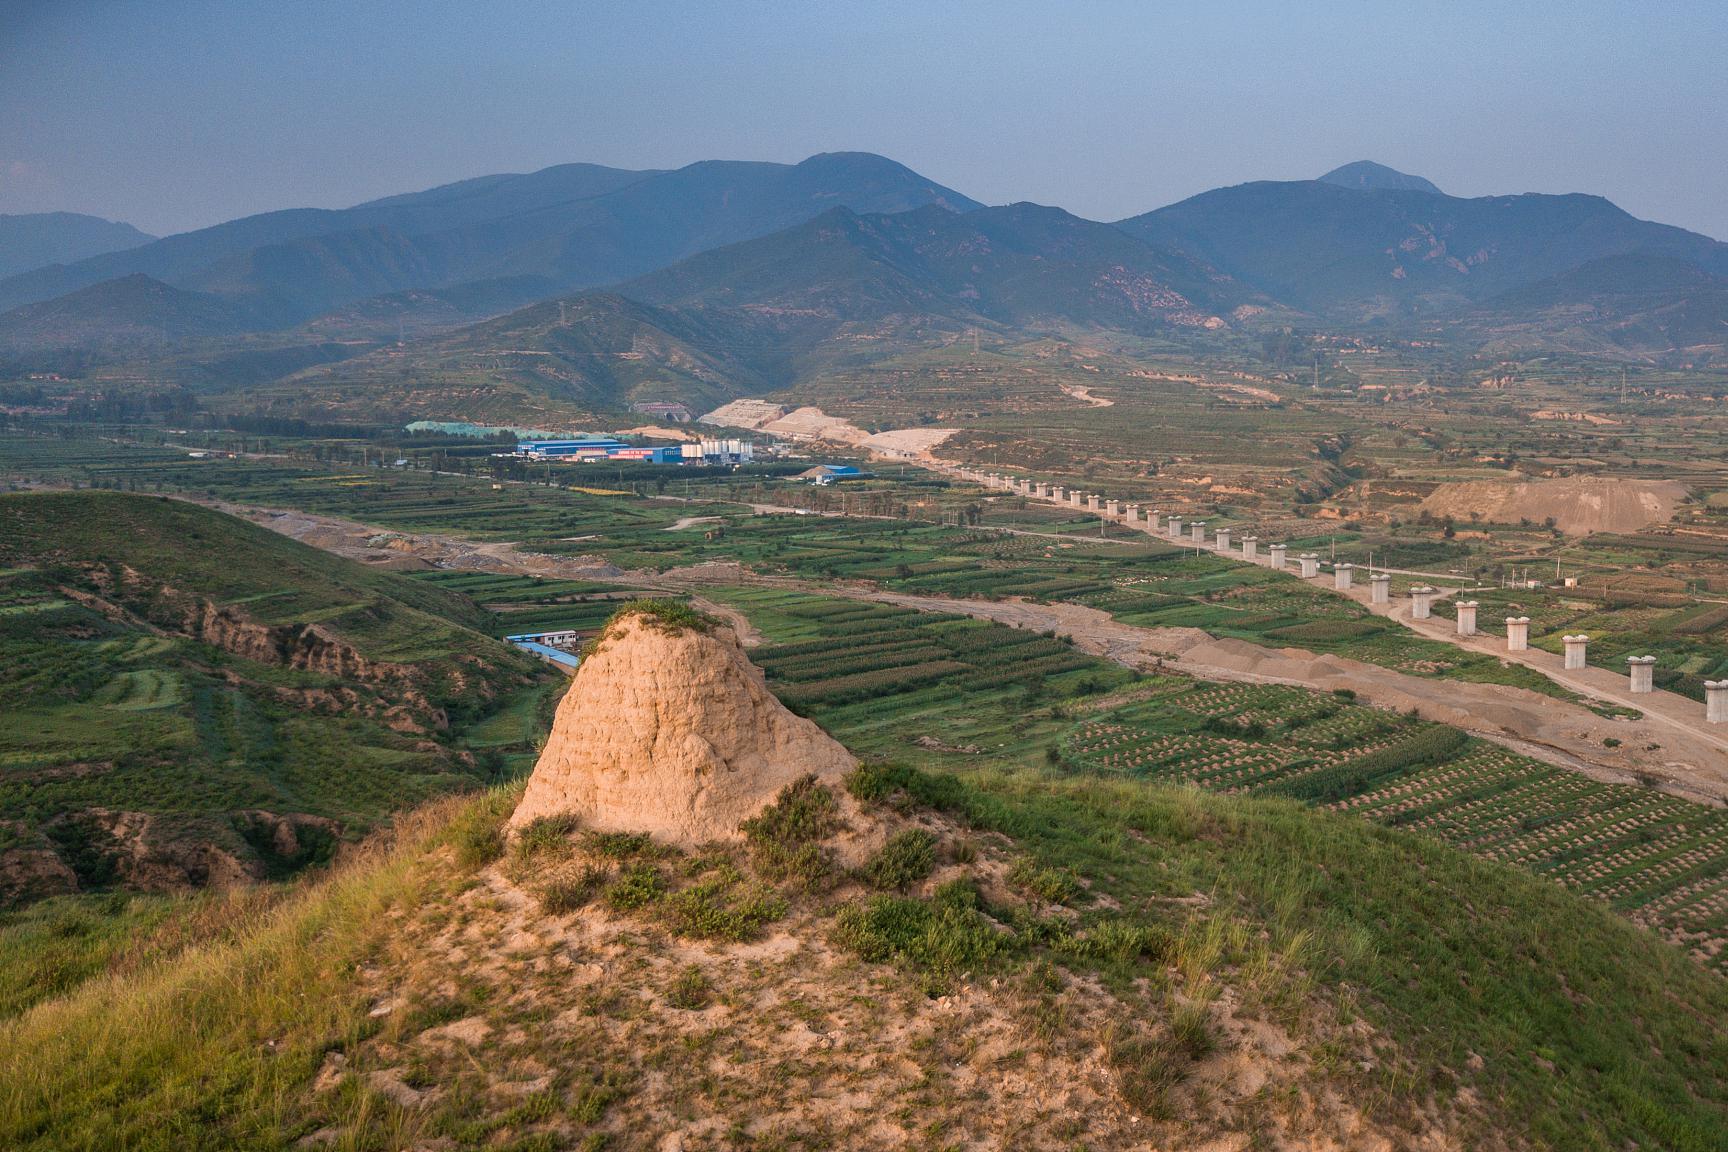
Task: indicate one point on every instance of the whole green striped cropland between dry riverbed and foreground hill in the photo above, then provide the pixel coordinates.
(950, 692)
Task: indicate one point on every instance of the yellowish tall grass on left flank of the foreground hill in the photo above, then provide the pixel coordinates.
(208, 1053)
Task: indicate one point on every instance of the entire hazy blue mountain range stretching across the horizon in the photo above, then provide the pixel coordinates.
(744, 275)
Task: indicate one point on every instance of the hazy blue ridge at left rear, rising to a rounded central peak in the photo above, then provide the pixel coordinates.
(576, 225)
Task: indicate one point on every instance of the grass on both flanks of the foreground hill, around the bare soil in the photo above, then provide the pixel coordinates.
(1589, 1034)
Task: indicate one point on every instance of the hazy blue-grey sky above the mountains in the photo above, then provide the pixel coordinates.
(182, 113)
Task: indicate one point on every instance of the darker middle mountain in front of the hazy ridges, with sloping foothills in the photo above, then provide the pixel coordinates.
(844, 288)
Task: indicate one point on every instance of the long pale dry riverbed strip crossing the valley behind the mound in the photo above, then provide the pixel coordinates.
(1658, 747)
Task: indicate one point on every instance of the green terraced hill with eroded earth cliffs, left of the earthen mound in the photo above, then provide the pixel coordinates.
(191, 700)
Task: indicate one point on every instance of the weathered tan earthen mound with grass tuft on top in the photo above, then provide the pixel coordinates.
(670, 730)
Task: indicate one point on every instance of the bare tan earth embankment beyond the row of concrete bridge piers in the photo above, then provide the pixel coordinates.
(1577, 507)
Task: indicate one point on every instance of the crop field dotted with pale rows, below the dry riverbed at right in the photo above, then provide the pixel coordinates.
(1658, 859)
